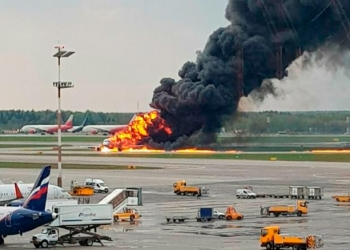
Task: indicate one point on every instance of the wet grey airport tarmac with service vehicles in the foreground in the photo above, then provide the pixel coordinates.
(223, 177)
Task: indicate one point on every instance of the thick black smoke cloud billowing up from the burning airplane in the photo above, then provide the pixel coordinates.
(209, 90)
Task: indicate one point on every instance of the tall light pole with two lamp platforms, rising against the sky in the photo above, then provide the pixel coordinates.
(60, 85)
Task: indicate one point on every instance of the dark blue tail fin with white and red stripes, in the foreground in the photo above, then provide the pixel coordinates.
(37, 197)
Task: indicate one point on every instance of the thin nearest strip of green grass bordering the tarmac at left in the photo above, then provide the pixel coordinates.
(70, 166)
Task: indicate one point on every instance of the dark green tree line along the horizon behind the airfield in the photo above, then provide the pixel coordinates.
(334, 122)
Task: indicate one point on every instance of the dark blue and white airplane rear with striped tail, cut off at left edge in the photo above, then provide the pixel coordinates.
(18, 220)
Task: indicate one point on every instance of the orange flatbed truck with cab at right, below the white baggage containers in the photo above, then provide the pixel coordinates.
(299, 209)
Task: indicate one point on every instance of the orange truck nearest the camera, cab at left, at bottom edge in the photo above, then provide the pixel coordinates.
(270, 238)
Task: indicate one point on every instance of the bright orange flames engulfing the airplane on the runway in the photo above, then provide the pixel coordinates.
(138, 132)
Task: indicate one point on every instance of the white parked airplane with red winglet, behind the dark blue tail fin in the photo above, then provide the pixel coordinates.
(11, 194)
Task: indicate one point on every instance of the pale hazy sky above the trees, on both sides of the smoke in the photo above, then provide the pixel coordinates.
(123, 49)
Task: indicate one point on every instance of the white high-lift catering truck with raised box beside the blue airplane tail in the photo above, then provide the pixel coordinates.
(78, 220)
